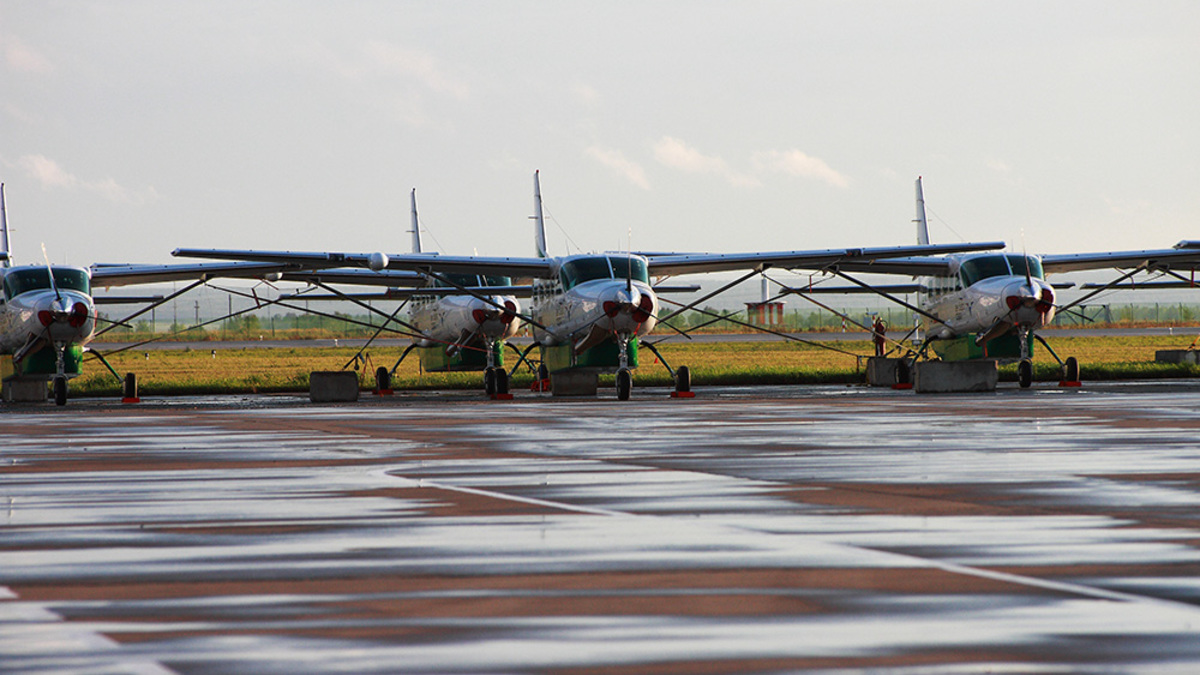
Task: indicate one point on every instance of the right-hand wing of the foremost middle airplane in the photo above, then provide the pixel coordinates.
(863, 260)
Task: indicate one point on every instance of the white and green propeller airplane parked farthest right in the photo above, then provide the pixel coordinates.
(992, 304)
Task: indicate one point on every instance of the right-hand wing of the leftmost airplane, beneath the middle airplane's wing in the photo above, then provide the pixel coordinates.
(106, 276)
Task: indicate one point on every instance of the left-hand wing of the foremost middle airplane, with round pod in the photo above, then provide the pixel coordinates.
(453, 265)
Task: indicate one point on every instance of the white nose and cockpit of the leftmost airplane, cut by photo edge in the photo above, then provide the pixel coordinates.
(31, 315)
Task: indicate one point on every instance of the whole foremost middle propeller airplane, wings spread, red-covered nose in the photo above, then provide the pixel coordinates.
(590, 310)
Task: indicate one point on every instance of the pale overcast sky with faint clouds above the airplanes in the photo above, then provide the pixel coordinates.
(130, 129)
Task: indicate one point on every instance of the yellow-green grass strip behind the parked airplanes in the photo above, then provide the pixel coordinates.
(267, 371)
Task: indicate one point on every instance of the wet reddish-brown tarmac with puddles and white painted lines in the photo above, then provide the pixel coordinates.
(748, 530)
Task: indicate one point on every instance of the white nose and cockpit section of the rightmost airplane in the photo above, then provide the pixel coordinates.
(993, 304)
